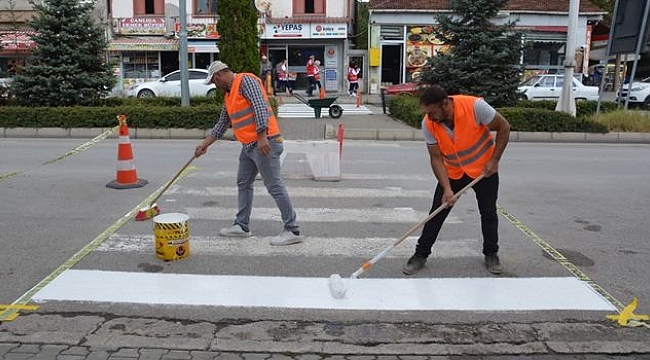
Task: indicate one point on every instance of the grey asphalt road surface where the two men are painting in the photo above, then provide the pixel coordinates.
(587, 201)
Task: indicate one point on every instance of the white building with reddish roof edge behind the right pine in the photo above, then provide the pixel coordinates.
(400, 40)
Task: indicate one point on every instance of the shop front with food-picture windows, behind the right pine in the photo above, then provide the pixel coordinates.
(404, 50)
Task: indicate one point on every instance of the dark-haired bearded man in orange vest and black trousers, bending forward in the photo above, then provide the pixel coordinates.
(457, 130)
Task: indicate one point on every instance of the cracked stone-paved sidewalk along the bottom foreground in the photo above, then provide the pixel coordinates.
(51, 336)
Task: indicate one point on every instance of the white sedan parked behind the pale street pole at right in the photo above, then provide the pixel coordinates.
(549, 87)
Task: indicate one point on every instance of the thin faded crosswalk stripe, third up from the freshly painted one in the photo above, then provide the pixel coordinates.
(320, 192)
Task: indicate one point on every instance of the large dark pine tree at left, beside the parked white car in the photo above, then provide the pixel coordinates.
(68, 66)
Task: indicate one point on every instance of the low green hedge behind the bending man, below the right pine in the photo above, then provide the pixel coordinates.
(528, 116)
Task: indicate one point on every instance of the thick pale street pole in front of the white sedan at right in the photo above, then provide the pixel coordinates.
(566, 102)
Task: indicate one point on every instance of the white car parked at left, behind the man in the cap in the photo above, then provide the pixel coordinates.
(170, 85)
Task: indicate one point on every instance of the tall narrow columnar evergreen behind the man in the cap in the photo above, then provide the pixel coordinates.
(239, 43)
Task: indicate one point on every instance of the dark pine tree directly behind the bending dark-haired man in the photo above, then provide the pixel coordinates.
(484, 58)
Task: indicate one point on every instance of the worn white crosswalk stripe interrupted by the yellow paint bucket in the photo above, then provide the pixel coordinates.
(311, 247)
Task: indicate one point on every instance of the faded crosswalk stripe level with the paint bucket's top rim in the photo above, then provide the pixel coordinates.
(378, 215)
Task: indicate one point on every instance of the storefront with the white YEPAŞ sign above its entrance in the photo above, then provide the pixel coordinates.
(297, 41)
